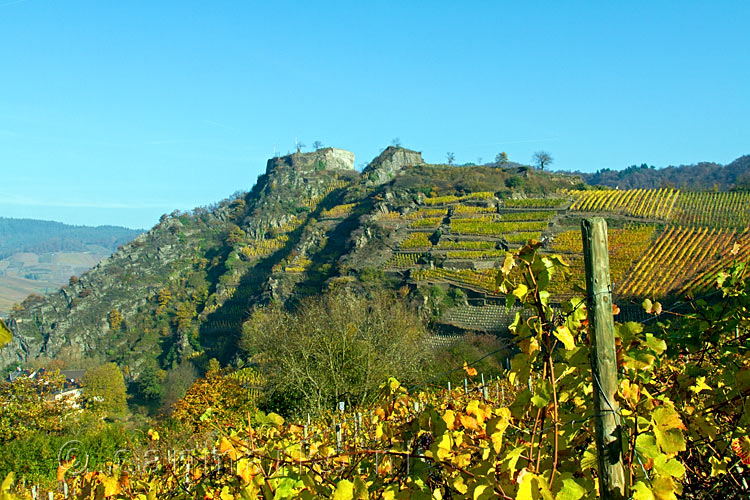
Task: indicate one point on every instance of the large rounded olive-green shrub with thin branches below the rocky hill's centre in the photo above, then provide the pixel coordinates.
(349, 343)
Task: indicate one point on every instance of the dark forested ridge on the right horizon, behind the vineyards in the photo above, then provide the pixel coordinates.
(698, 177)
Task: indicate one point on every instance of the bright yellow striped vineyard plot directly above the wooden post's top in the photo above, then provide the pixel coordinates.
(646, 203)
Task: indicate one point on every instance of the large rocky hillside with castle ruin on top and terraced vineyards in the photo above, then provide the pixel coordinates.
(183, 289)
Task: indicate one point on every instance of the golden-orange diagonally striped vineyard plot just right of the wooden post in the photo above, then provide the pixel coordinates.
(676, 256)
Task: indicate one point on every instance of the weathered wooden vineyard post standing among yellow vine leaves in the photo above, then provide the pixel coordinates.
(603, 360)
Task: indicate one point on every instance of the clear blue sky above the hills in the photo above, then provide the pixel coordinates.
(116, 112)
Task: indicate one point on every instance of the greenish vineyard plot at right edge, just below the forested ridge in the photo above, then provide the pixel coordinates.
(728, 210)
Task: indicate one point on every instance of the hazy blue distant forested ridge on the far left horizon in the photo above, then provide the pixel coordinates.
(38, 236)
